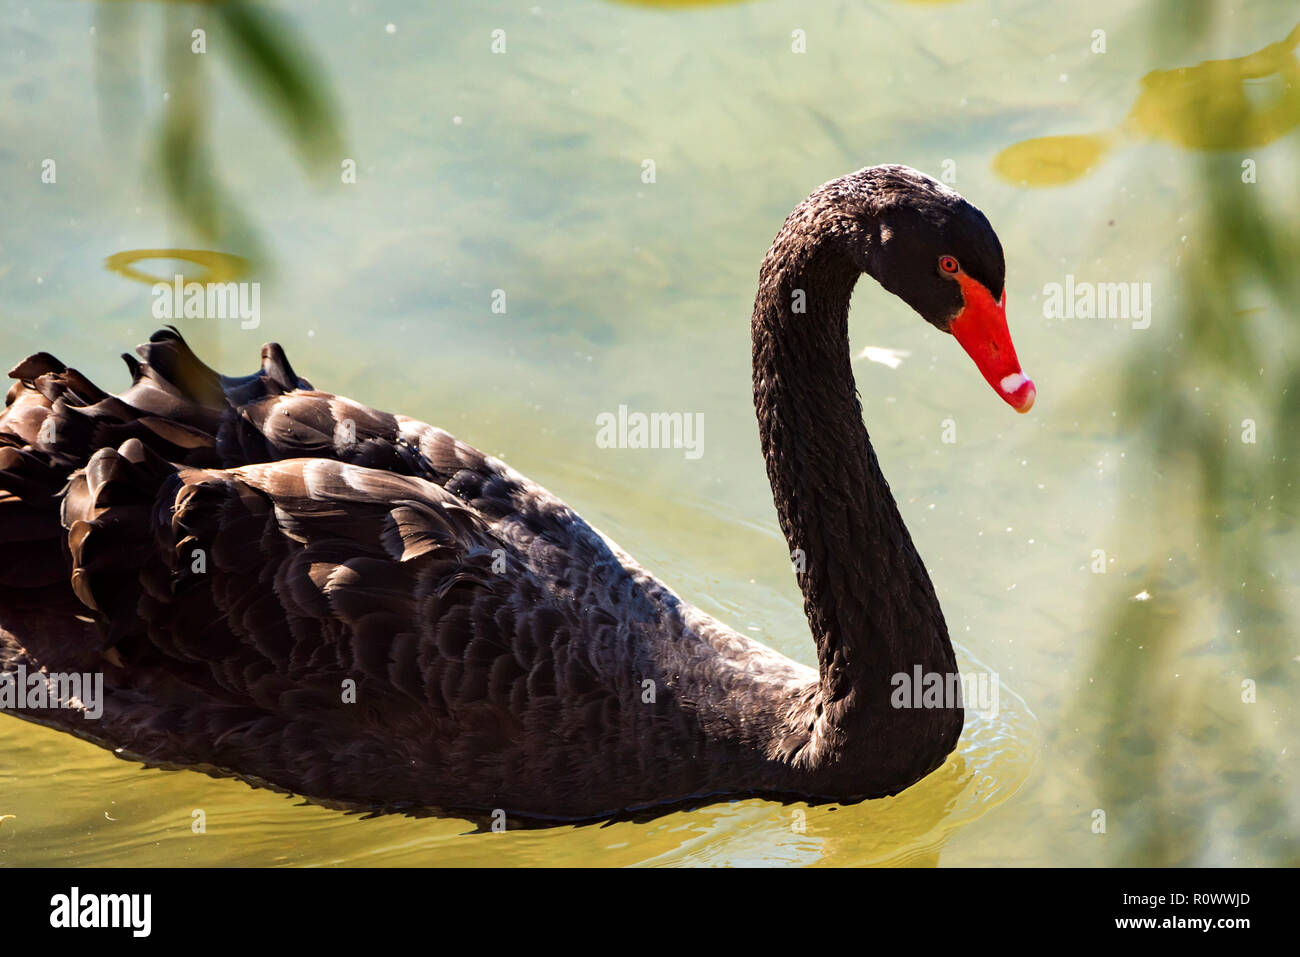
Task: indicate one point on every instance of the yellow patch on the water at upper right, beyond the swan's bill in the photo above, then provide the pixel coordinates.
(1219, 105)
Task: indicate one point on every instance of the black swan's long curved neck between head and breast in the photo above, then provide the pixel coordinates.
(868, 596)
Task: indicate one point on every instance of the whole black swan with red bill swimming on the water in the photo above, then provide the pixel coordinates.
(288, 587)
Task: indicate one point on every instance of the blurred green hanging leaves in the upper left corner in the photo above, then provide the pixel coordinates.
(266, 54)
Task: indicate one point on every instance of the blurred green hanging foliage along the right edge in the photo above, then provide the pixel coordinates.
(1223, 517)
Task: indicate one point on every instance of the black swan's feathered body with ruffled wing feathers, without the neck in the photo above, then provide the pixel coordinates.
(311, 595)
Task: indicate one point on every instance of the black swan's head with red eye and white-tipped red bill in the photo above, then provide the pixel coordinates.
(938, 253)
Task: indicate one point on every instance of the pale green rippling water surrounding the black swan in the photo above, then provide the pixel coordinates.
(523, 172)
